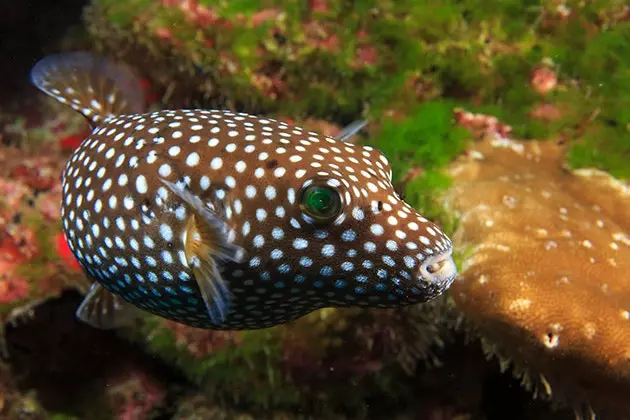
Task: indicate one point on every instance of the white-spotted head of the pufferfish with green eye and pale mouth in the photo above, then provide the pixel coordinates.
(342, 230)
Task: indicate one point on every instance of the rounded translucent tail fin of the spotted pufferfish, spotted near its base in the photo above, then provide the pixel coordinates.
(91, 84)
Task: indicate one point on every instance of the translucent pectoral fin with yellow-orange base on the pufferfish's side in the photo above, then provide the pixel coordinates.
(207, 243)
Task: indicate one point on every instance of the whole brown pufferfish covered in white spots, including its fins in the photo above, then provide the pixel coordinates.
(225, 220)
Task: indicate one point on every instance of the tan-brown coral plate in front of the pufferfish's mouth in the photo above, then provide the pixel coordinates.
(547, 284)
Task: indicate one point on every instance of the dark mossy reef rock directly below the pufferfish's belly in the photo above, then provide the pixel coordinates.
(306, 364)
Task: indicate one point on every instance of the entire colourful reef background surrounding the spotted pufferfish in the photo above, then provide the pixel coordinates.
(507, 122)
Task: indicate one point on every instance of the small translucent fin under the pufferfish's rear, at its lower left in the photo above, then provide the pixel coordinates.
(105, 310)
